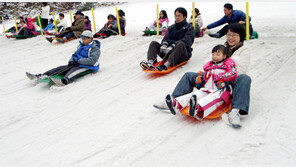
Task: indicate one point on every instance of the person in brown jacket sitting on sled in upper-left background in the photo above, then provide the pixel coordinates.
(74, 31)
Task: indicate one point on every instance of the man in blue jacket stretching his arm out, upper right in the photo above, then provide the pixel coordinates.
(231, 16)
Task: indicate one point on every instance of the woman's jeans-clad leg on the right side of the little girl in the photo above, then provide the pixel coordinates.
(241, 94)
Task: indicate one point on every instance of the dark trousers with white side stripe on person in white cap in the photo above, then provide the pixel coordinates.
(70, 73)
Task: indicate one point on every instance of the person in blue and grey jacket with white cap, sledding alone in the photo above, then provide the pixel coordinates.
(85, 59)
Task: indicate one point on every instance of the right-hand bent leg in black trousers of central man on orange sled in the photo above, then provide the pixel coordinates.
(178, 54)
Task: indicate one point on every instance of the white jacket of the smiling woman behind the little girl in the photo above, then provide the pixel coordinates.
(241, 57)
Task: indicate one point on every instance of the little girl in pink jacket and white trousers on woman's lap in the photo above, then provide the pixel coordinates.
(213, 86)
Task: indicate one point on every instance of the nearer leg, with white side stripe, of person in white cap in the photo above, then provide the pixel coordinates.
(74, 73)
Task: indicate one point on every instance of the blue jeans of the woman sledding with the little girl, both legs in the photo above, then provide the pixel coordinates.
(241, 90)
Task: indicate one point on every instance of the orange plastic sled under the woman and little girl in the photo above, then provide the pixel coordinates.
(225, 107)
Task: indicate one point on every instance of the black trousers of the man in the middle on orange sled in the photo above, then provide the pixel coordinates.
(176, 56)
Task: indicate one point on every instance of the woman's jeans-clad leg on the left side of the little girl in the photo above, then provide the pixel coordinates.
(185, 85)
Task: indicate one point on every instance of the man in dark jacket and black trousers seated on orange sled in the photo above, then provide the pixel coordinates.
(175, 47)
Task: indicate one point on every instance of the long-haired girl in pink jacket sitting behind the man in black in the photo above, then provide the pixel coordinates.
(163, 23)
